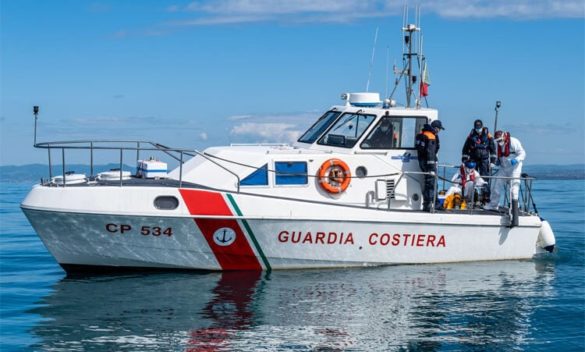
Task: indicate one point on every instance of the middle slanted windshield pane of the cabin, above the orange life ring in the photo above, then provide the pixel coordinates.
(347, 130)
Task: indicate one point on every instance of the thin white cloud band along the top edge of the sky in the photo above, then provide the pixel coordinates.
(217, 12)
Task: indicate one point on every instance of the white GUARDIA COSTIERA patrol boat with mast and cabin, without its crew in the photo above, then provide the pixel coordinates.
(337, 197)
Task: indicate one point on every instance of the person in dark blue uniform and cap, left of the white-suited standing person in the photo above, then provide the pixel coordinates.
(480, 148)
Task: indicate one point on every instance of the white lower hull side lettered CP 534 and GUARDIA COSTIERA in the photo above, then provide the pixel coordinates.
(80, 240)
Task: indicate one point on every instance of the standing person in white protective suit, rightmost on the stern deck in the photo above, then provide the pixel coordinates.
(510, 158)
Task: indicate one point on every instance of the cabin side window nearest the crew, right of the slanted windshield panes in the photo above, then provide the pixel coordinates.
(394, 132)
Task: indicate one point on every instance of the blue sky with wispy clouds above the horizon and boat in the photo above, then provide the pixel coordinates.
(196, 74)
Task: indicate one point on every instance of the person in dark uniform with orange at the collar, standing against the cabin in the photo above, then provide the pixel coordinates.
(427, 146)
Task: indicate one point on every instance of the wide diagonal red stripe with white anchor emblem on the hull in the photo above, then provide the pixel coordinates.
(236, 256)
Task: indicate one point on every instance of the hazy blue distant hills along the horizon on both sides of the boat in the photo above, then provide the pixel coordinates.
(34, 172)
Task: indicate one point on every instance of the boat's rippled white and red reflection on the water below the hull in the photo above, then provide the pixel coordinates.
(424, 307)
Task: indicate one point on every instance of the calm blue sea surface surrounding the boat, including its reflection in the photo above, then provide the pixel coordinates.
(534, 305)
